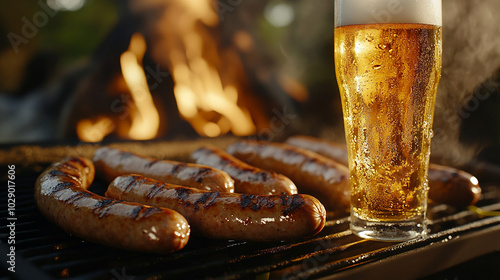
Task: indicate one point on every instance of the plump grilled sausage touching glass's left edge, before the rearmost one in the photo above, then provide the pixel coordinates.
(312, 173)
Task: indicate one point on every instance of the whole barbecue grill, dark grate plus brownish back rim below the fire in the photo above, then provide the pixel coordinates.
(43, 251)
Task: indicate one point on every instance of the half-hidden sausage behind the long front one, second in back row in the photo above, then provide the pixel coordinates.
(247, 179)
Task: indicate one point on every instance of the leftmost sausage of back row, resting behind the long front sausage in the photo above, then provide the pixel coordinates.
(113, 162)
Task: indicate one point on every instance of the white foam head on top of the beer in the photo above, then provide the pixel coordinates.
(349, 12)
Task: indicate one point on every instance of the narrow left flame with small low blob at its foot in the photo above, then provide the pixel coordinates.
(145, 119)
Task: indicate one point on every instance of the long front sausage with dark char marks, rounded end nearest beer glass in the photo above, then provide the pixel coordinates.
(234, 216)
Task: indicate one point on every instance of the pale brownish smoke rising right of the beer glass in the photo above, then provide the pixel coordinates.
(471, 56)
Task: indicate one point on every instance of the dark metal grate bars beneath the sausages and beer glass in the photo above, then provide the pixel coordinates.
(45, 251)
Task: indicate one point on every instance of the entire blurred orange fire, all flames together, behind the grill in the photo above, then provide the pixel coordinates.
(210, 83)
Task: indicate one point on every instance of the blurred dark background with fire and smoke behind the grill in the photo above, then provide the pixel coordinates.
(90, 71)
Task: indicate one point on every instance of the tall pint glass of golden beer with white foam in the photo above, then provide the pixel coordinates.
(388, 66)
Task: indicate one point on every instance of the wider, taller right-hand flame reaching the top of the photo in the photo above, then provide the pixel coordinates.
(209, 105)
